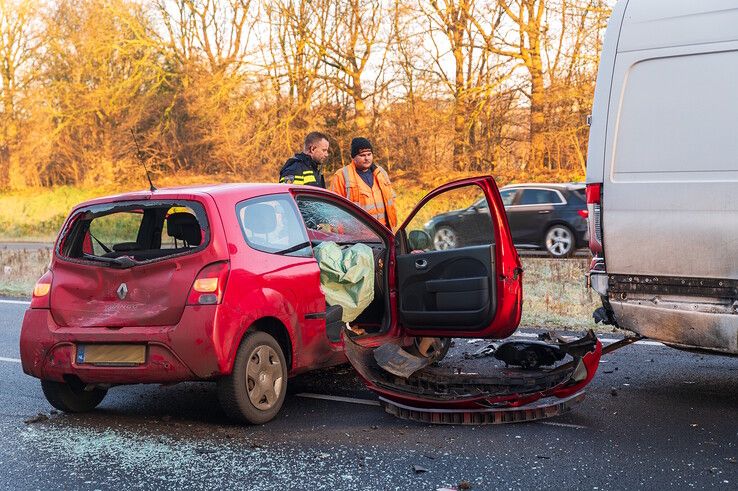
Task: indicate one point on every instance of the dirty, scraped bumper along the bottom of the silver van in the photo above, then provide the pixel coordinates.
(674, 324)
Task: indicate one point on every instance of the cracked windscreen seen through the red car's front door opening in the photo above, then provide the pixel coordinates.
(325, 220)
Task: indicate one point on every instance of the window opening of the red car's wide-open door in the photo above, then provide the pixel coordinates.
(449, 221)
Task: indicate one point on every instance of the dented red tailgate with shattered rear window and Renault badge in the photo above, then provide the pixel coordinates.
(129, 263)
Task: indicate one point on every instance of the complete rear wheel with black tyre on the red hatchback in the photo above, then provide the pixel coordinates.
(254, 391)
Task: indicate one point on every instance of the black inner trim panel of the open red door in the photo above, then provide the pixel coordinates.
(451, 289)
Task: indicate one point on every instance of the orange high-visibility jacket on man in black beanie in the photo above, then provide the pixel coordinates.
(378, 201)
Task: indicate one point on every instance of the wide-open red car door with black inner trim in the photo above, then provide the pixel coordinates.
(458, 273)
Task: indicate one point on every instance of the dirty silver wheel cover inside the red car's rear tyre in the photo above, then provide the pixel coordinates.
(264, 378)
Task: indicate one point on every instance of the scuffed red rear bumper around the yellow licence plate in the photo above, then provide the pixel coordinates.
(178, 353)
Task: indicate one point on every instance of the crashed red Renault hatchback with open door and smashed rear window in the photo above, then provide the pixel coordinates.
(220, 283)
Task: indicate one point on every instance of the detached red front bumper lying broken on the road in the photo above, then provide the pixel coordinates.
(505, 394)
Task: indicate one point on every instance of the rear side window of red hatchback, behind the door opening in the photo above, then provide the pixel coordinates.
(272, 224)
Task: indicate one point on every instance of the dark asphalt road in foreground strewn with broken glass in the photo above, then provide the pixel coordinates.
(653, 418)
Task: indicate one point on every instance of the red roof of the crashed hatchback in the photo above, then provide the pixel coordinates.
(244, 191)
